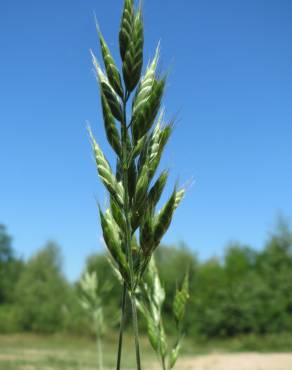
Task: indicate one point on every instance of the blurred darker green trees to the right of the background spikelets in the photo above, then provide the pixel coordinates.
(250, 292)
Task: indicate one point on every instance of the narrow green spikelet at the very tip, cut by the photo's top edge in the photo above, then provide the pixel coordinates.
(126, 27)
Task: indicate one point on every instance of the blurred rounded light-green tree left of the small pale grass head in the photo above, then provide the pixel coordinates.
(42, 291)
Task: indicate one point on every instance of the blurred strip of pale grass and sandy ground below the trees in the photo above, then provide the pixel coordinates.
(23, 352)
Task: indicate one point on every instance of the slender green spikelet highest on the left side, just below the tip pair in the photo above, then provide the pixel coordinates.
(110, 66)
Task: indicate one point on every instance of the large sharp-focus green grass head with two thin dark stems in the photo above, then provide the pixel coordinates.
(135, 128)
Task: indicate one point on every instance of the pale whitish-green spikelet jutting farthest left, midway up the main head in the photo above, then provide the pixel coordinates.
(105, 173)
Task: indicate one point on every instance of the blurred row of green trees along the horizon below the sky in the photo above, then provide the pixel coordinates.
(245, 291)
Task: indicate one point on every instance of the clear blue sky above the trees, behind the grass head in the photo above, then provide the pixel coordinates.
(230, 82)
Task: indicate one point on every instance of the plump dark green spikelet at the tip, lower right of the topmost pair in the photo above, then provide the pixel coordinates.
(133, 59)
